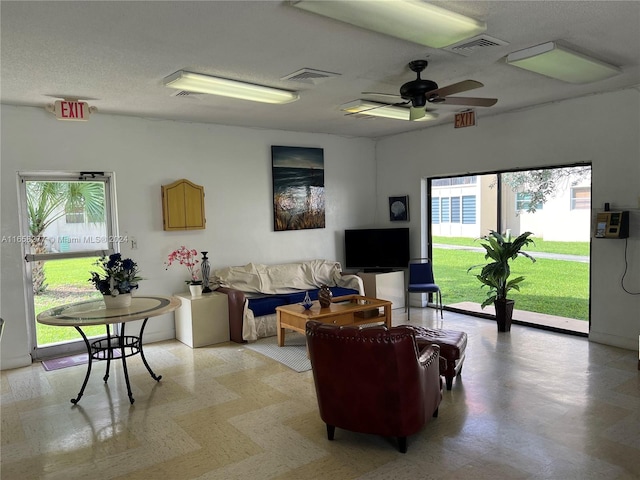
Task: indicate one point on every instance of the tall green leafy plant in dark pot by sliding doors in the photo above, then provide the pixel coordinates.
(500, 250)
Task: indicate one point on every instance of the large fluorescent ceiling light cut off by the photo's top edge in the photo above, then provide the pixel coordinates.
(411, 20)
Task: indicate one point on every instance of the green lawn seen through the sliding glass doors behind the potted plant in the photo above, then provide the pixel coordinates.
(553, 287)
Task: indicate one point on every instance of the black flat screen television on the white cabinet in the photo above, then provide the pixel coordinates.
(376, 249)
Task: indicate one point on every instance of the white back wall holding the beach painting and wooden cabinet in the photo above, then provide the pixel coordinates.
(234, 166)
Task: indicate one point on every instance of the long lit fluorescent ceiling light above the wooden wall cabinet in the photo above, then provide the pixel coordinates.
(196, 82)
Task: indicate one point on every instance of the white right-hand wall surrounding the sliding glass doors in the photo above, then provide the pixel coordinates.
(601, 129)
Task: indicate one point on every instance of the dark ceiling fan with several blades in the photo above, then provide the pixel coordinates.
(419, 92)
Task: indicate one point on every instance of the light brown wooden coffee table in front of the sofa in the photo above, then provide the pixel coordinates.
(346, 310)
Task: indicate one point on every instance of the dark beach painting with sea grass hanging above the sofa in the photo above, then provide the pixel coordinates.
(298, 188)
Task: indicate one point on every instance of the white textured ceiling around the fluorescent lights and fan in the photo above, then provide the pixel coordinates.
(115, 55)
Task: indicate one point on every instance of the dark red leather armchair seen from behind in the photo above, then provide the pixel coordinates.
(374, 380)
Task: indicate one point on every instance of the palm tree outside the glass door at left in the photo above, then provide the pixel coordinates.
(49, 201)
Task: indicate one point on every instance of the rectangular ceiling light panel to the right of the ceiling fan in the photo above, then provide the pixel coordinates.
(559, 62)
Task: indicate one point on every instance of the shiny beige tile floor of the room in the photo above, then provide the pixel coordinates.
(530, 404)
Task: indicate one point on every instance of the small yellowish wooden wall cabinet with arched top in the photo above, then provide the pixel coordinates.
(183, 206)
